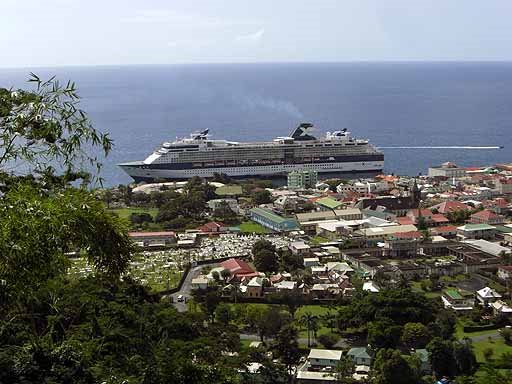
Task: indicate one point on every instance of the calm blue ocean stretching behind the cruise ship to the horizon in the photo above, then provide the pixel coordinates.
(455, 105)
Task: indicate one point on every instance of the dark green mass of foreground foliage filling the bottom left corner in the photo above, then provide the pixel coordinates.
(93, 330)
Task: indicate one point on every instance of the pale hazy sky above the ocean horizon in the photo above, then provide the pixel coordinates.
(96, 32)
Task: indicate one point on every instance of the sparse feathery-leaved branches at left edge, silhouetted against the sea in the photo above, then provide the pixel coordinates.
(47, 127)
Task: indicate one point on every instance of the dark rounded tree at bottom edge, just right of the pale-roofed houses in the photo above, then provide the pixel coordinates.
(391, 368)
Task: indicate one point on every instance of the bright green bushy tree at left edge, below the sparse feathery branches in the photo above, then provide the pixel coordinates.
(37, 231)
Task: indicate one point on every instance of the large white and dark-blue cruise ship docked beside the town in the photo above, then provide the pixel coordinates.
(200, 155)
